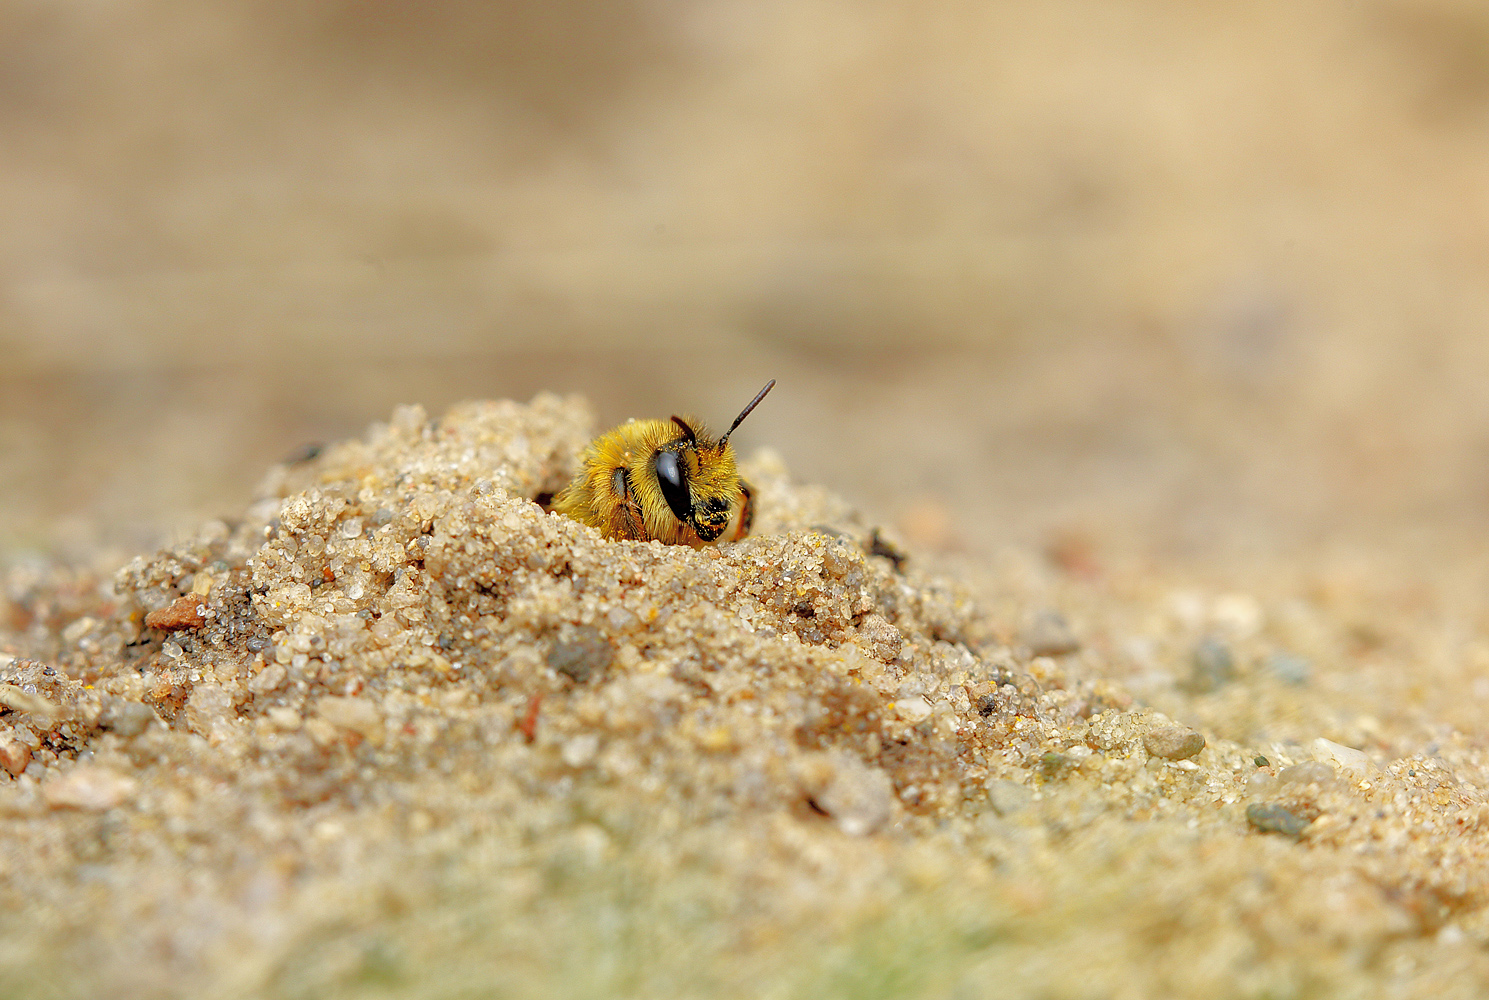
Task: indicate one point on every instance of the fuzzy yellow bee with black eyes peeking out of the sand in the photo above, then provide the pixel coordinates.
(665, 480)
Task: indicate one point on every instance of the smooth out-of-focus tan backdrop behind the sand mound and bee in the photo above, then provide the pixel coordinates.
(1182, 282)
